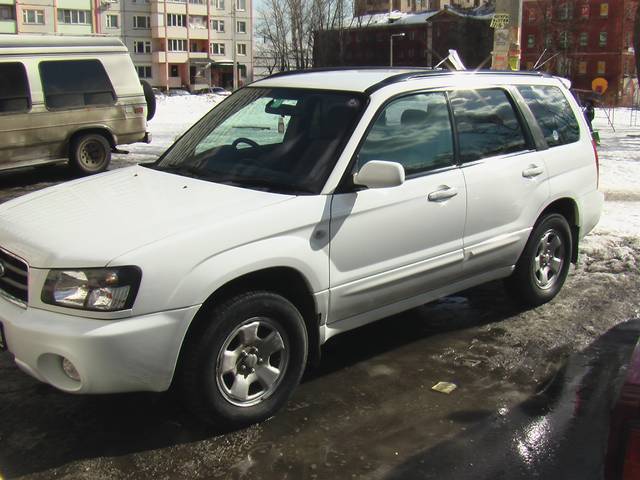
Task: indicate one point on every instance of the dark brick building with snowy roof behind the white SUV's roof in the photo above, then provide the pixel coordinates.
(428, 36)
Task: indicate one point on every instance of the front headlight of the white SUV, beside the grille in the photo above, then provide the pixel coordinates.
(102, 289)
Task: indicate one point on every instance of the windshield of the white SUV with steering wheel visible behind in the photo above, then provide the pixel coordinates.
(280, 140)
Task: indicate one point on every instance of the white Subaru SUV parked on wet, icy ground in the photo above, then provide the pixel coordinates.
(302, 206)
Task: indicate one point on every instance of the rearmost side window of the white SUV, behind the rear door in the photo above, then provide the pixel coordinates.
(553, 113)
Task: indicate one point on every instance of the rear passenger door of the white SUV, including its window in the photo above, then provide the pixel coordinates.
(505, 176)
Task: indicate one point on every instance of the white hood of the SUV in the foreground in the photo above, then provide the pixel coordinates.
(88, 222)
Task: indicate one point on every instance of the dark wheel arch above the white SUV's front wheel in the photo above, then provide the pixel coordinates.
(285, 281)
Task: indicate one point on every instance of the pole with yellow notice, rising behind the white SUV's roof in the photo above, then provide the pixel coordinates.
(507, 25)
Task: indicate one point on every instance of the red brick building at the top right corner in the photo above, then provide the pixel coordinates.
(583, 40)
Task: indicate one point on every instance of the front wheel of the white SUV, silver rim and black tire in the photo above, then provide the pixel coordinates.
(241, 366)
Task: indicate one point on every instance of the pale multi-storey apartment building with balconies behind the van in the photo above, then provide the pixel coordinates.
(173, 43)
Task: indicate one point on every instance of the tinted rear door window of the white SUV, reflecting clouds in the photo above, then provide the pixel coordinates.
(487, 124)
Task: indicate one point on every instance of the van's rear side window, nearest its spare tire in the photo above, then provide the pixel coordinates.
(75, 83)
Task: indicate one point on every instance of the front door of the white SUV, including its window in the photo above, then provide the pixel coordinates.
(392, 244)
